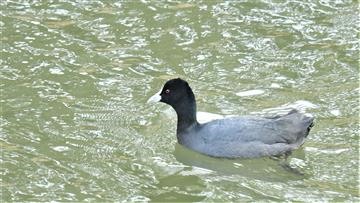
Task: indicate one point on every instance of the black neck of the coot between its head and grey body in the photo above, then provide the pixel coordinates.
(186, 113)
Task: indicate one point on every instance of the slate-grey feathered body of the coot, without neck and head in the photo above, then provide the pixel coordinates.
(249, 136)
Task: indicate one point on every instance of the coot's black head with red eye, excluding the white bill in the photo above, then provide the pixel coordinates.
(176, 91)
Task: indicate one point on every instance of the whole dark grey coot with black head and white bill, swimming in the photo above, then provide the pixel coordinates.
(233, 137)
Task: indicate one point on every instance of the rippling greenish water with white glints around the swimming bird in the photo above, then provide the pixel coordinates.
(75, 77)
